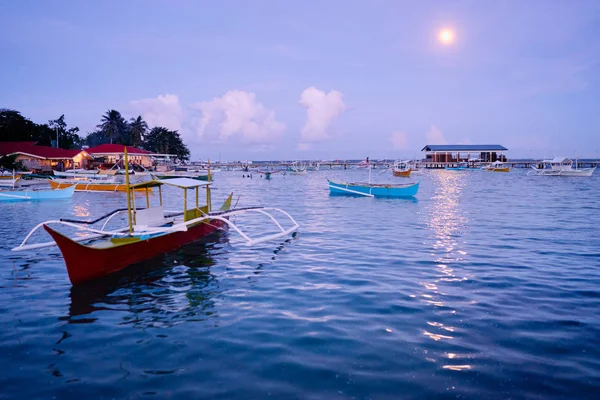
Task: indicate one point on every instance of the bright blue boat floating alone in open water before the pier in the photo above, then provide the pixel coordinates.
(373, 189)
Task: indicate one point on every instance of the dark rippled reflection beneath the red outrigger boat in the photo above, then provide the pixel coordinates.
(163, 291)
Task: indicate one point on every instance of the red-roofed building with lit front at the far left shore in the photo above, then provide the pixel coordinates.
(44, 157)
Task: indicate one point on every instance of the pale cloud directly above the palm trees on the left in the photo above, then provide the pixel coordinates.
(161, 111)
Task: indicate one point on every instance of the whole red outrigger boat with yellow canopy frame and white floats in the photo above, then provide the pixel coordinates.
(150, 231)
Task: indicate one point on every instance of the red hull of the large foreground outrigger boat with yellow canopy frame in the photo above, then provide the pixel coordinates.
(85, 263)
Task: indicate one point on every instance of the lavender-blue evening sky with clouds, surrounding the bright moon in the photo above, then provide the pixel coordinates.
(327, 79)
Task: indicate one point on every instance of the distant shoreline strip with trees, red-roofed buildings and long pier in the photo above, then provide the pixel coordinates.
(43, 149)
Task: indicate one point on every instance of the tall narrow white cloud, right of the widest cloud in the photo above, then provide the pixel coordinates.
(321, 110)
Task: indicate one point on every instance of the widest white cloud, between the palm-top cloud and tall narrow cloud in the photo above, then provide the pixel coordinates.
(238, 113)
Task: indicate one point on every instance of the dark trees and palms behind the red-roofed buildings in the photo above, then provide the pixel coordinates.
(113, 128)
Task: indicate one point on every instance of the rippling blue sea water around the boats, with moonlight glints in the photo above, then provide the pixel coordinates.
(486, 286)
